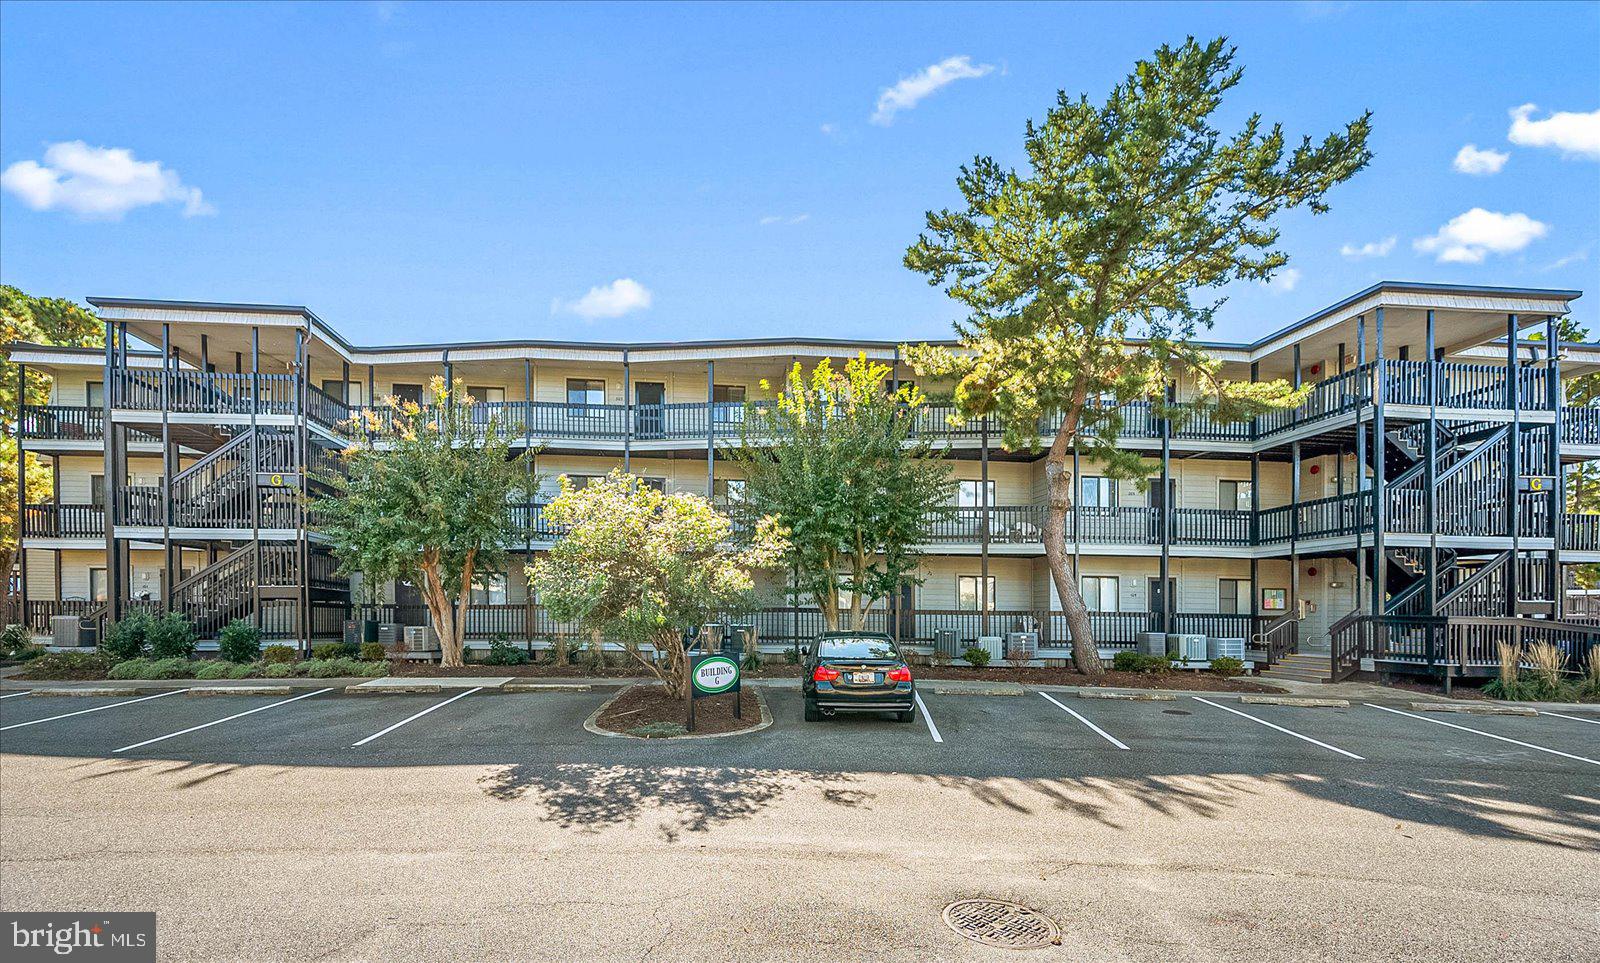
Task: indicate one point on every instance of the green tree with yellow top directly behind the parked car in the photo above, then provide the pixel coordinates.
(838, 460)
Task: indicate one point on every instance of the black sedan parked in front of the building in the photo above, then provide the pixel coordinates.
(857, 673)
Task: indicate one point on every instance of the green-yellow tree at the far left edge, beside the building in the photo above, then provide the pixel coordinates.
(34, 321)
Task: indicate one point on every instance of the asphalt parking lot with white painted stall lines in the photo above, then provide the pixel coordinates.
(1385, 829)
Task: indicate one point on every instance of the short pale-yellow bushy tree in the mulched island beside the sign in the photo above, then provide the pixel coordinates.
(642, 567)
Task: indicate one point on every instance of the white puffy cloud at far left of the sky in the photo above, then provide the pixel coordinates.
(100, 183)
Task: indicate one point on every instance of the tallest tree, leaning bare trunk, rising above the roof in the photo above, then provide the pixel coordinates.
(1084, 273)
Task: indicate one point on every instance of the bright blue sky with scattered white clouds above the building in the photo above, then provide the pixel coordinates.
(452, 172)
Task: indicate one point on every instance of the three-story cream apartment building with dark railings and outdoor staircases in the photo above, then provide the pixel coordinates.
(1418, 487)
